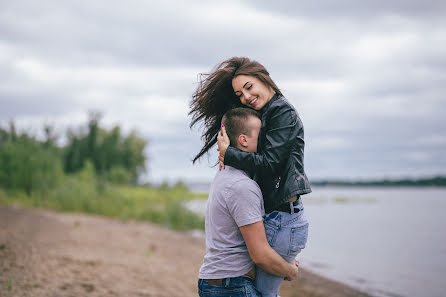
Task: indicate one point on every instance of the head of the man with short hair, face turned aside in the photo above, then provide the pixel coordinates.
(242, 126)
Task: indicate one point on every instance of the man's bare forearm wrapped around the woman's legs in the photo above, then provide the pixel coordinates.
(263, 255)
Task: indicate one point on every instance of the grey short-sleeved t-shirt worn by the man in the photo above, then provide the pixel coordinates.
(234, 201)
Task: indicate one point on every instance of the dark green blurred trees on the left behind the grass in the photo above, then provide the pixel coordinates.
(31, 164)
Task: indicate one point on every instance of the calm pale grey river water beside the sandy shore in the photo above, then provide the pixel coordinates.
(384, 241)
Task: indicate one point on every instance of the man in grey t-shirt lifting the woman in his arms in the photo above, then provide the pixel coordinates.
(235, 235)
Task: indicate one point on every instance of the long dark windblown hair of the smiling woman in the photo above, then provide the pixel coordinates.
(214, 96)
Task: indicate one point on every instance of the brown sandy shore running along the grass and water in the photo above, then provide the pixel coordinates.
(43, 253)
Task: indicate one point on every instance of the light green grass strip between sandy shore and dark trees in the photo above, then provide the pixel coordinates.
(162, 205)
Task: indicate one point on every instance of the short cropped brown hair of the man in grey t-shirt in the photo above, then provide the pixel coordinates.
(235, 122)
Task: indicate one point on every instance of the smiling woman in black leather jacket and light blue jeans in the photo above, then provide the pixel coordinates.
(278, 164)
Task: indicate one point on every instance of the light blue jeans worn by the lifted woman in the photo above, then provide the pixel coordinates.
(287, 234)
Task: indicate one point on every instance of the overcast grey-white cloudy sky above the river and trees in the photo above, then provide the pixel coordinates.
(368, 78)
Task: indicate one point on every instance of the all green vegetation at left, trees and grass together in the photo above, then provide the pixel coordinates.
(99, 167)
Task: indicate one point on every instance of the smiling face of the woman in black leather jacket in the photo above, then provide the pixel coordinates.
(251, 91)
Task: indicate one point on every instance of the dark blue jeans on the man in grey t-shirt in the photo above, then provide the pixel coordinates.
(242, 286)
